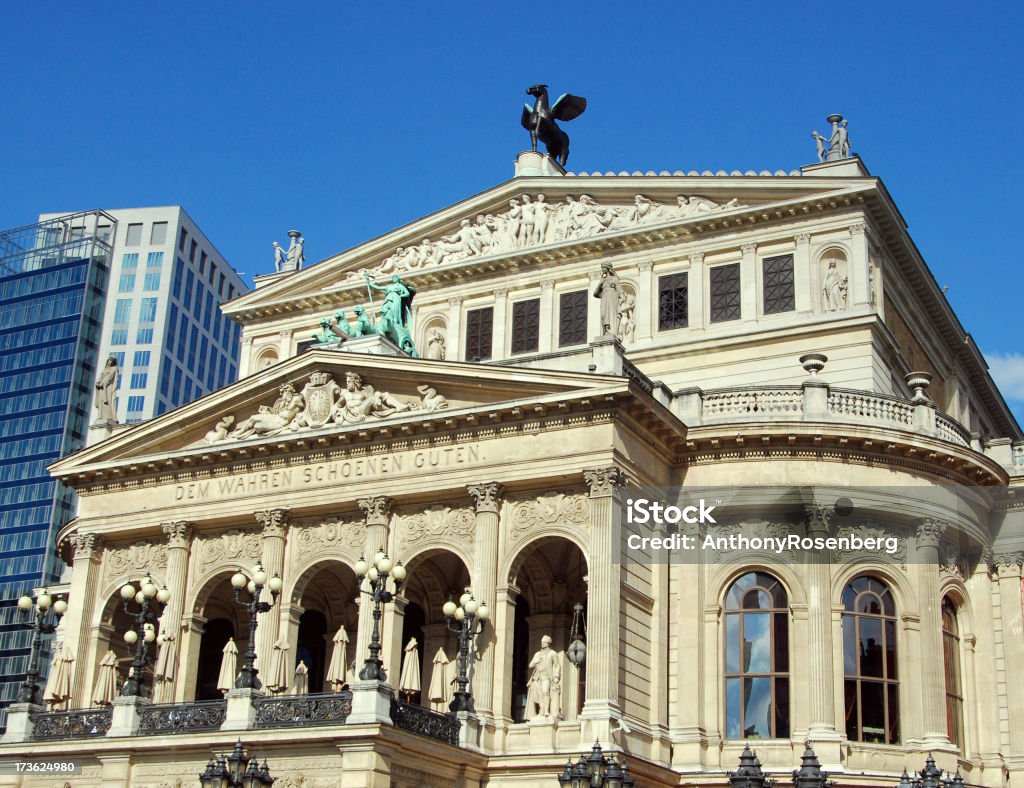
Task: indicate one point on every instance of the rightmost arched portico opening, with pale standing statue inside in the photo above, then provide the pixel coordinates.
(550, 575)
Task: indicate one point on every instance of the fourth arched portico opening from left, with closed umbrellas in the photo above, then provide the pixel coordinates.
(434, 579)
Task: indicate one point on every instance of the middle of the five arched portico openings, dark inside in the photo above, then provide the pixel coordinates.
(326, 596)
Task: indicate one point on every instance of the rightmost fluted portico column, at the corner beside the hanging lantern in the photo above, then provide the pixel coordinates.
(604, 601)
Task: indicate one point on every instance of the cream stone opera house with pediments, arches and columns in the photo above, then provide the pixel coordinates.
(528, 362)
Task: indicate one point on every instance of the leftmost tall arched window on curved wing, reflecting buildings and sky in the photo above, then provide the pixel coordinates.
(757, 659)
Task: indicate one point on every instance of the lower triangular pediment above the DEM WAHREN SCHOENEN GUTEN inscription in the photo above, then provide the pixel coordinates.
(321, 393)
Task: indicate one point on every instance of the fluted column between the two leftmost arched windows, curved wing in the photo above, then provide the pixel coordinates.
(822, 678)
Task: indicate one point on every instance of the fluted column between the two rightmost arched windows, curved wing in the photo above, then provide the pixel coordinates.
(933, 682)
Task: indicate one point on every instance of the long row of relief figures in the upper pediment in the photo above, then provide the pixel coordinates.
(534, 222)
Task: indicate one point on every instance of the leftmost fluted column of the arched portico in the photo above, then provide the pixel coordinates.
(81, 598)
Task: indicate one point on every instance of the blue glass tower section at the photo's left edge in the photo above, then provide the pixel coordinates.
(54, 279)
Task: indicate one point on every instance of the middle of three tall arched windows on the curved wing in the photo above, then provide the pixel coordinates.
(872, 688)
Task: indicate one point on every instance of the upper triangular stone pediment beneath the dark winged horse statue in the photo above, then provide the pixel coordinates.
(542, 221)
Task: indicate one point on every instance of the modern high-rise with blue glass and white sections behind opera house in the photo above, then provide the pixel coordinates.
(142, 285)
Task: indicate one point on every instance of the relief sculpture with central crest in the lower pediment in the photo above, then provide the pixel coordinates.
(321, 403)
